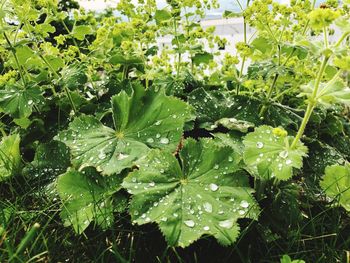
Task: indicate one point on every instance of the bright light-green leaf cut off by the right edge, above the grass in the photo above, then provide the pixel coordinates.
(336, 184)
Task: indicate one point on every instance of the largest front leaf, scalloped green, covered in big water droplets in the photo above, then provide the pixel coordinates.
(205, 195)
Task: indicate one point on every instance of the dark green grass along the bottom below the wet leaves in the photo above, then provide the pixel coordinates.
(321, 234)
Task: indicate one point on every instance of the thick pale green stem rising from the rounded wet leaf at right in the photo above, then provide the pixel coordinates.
(311, 105)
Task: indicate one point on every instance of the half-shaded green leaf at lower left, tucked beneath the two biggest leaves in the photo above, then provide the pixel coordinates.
(86, 197)
